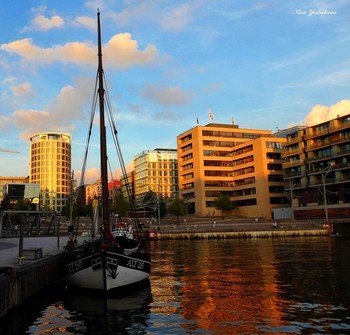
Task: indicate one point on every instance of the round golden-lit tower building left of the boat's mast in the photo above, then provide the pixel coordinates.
(50, 166)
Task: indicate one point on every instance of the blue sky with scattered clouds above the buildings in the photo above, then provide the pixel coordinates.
(264, 64)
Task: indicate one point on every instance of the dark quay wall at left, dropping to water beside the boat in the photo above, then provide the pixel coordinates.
(19, 283)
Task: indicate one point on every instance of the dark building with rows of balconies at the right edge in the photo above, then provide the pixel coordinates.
(317, 169)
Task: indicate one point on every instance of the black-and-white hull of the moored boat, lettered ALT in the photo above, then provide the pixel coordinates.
(108, 270)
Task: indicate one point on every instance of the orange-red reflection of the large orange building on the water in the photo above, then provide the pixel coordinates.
(228, 295)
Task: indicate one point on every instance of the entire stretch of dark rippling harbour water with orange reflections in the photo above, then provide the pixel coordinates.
(247, 286)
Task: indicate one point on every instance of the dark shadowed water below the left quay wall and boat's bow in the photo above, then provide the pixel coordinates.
(57, 310)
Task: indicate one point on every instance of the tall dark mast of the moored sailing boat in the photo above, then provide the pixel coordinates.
(103, 140)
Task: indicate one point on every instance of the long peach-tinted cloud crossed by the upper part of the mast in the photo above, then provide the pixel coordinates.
(120, 51)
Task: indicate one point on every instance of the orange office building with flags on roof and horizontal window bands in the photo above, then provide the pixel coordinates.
(245, 164)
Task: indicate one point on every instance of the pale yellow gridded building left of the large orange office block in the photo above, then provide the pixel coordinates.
(156, 170)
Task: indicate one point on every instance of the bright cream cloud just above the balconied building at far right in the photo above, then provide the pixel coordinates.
(319, 113)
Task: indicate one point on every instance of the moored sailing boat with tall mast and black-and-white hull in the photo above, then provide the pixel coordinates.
(104, 264)
